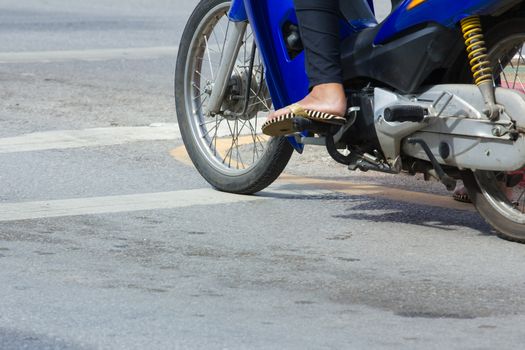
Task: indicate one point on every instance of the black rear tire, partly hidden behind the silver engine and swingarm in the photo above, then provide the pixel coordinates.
(505, 227)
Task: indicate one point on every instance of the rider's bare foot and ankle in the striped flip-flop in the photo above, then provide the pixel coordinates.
(328, 98)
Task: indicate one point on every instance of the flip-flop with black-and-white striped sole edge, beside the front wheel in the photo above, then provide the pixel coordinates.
(283, 124)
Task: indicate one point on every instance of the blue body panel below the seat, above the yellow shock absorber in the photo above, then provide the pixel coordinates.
(445, 12)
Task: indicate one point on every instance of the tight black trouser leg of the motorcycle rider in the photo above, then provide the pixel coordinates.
(319, 27)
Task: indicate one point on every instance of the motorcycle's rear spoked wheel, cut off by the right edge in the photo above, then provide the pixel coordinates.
(500, 197)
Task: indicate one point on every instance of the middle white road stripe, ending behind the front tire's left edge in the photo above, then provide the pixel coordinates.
(63, 139)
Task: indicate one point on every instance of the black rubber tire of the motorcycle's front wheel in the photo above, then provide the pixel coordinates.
(278, 150)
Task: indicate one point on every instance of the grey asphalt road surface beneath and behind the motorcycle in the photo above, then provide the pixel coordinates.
(109, 241)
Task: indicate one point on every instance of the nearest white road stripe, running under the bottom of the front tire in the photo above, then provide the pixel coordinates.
(117, 204)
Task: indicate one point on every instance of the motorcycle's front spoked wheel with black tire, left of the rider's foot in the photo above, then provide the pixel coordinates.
(228, 147)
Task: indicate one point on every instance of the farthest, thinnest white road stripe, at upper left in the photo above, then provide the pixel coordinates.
(88, 55)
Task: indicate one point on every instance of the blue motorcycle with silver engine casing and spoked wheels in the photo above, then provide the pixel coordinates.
(435, 88)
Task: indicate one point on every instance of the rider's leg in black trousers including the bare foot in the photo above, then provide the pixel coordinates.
(319, 27)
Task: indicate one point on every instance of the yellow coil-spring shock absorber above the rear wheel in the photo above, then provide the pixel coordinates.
(479, 63)
